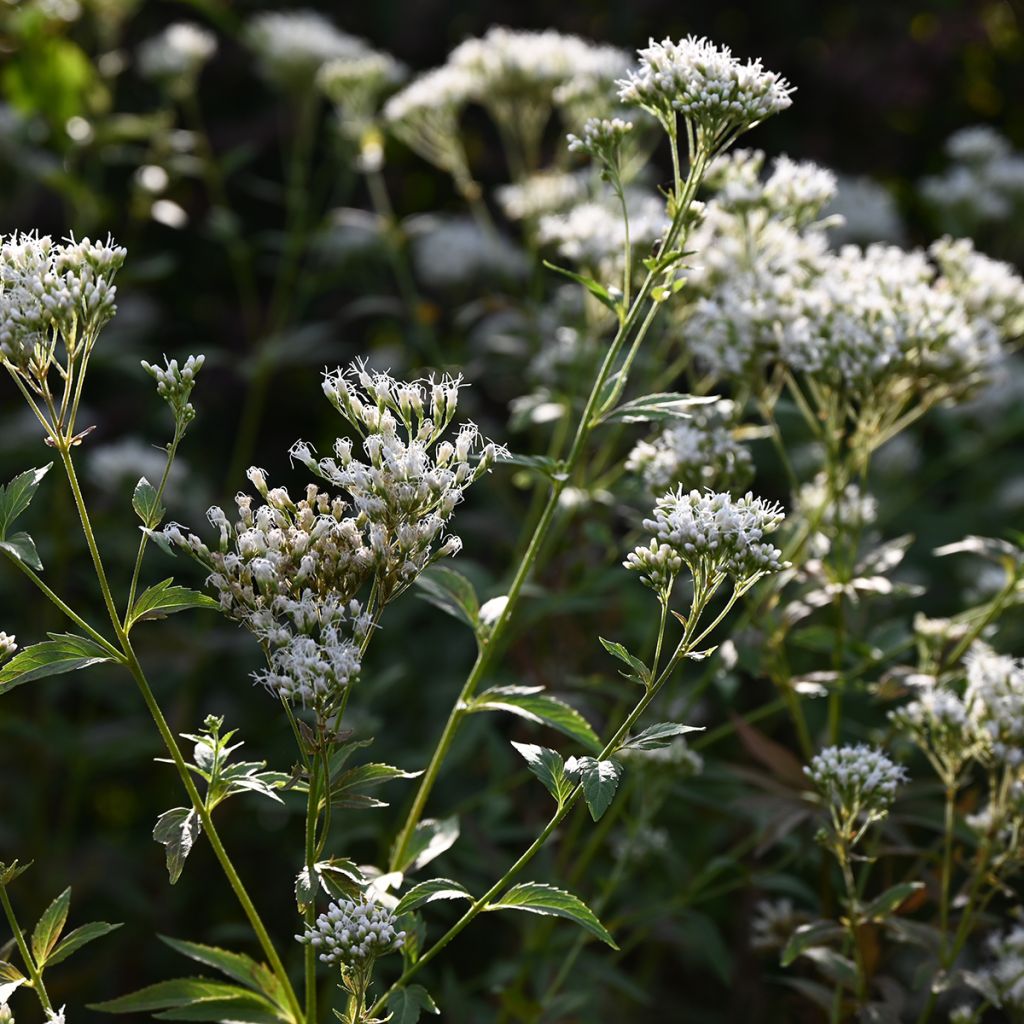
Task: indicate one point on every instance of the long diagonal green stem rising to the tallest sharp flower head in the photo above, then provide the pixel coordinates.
(585, 426)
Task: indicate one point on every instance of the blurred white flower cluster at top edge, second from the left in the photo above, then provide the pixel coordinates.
(292, 46)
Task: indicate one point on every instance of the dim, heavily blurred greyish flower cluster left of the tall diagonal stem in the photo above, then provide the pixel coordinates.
(455, 252)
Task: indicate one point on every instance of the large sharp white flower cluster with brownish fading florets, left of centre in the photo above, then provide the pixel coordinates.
(293, 572)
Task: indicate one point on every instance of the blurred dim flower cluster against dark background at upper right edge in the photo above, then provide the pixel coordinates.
(985, 186)
